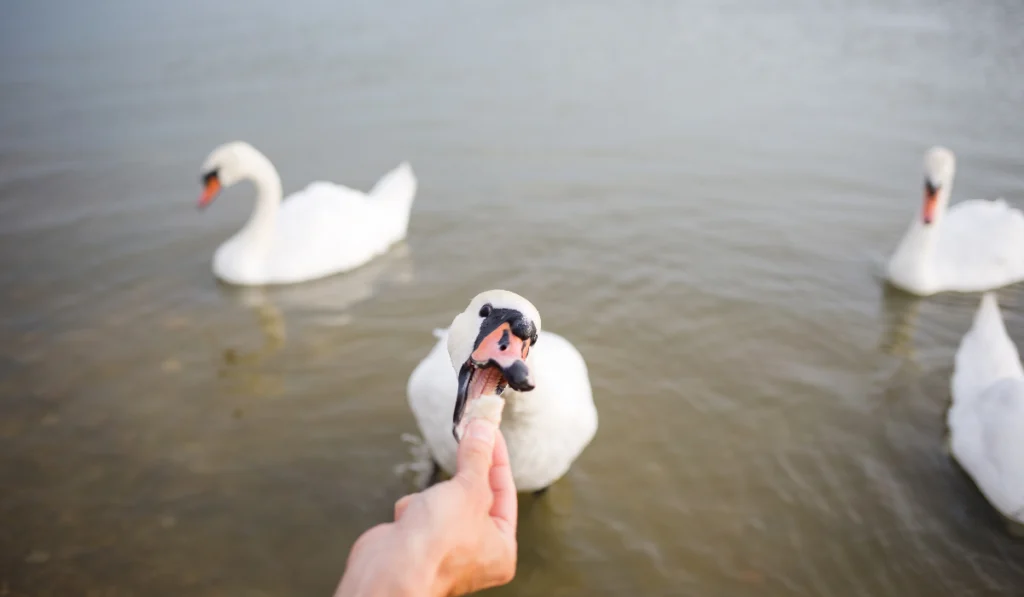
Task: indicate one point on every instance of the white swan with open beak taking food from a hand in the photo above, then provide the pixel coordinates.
(497, 347)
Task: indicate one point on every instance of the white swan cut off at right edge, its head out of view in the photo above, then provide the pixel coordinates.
(987, 420)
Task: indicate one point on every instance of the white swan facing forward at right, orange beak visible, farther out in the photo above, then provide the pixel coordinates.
(975, 246)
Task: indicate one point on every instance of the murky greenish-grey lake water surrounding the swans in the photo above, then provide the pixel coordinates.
(709, 188)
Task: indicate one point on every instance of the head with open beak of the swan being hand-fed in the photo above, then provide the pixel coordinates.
(489, 344)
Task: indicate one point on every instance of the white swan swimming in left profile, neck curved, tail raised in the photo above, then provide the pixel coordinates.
(323, 230)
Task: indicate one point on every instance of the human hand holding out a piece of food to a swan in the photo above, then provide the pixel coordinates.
(455, 538)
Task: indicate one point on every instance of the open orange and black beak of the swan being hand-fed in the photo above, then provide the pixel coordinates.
(499, 360)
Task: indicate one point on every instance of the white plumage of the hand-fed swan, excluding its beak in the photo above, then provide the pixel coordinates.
(546, 429)
